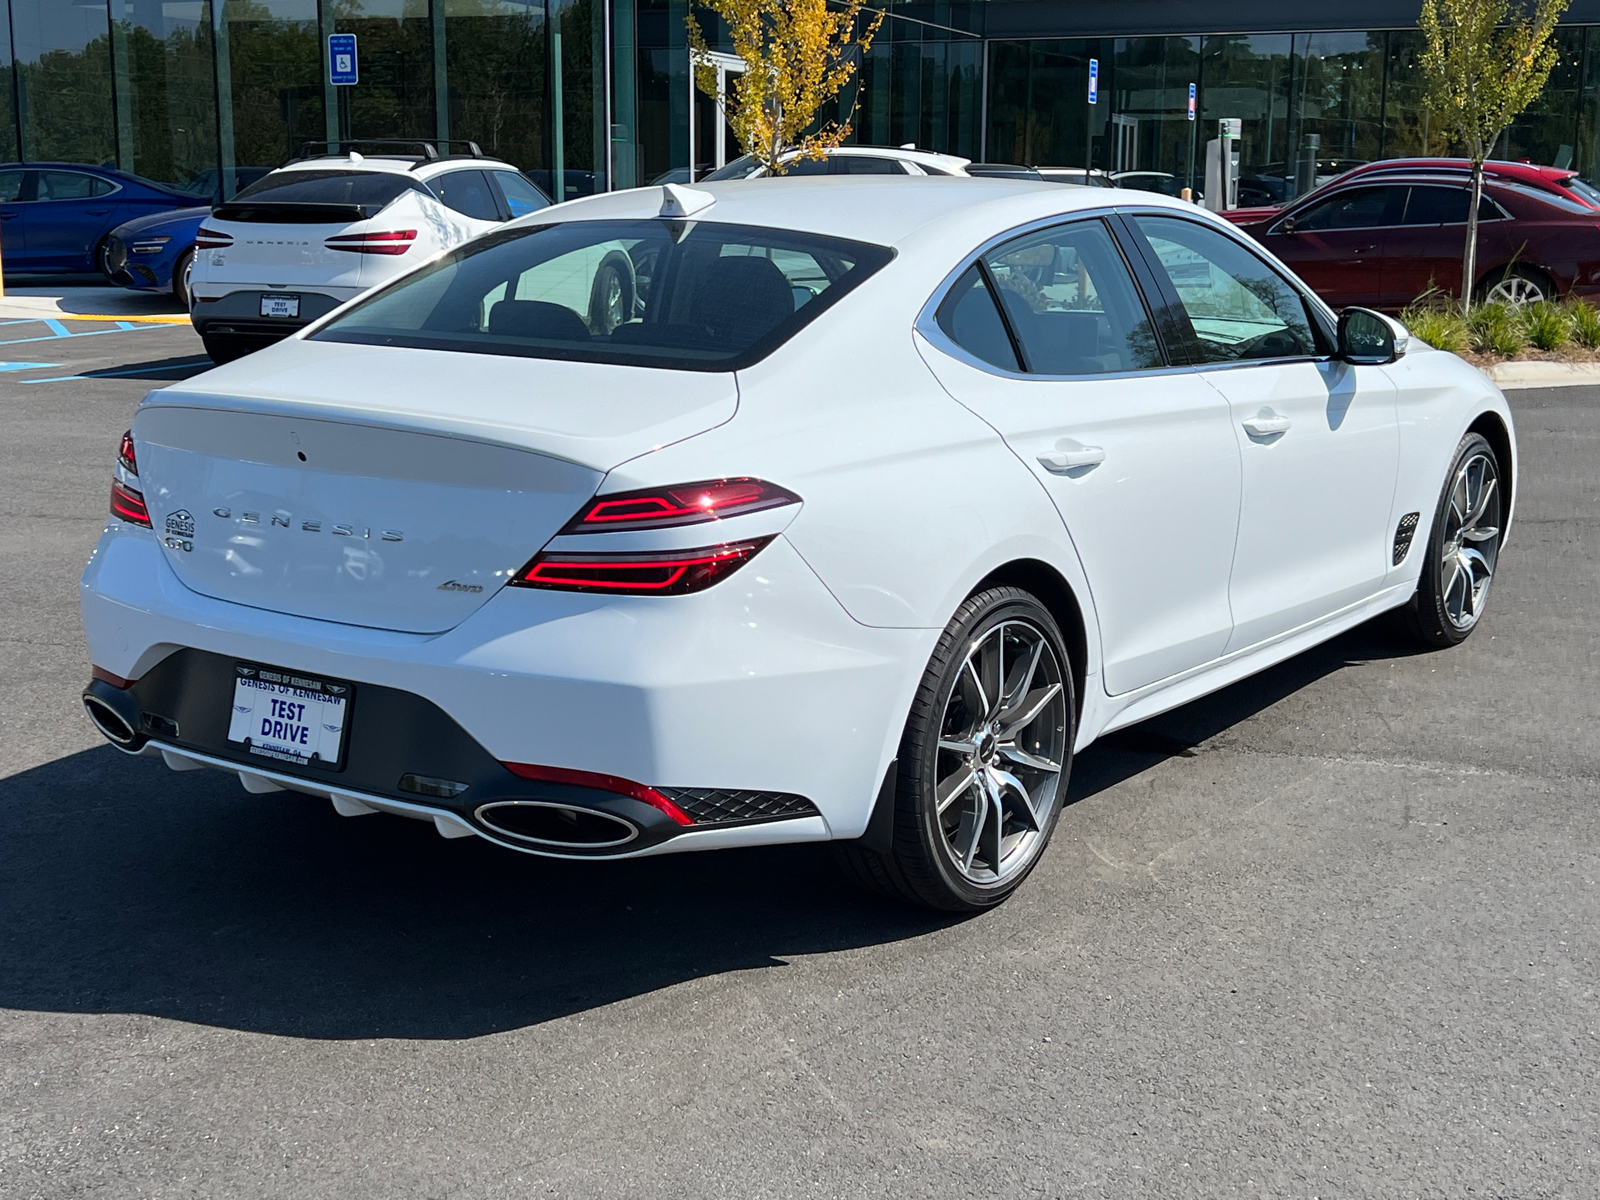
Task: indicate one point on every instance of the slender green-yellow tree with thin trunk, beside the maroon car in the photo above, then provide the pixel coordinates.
(1484, 66)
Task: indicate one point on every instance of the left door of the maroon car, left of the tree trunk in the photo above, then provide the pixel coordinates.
(1338, 246)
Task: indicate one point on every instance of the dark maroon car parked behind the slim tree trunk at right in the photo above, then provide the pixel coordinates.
(1385, 234)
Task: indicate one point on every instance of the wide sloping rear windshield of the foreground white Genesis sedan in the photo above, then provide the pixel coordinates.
(694, 297)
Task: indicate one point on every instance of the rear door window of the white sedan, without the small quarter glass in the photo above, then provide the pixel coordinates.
(1071, 303)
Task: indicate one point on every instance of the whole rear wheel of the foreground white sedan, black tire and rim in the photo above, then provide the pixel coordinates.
(924, 862)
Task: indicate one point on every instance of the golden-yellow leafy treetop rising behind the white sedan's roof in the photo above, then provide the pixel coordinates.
(798, 57)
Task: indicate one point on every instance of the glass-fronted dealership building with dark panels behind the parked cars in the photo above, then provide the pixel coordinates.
(598, 94)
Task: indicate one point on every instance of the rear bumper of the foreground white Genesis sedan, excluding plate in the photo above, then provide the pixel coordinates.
(761, 686)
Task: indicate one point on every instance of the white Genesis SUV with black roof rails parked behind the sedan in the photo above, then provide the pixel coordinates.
(308, 238)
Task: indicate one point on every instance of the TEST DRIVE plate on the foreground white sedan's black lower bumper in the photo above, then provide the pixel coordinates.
(287, 716)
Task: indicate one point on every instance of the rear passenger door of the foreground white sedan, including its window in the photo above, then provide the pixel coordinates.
(1049, 340)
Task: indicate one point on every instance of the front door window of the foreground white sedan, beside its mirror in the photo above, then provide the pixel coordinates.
(1239, 306)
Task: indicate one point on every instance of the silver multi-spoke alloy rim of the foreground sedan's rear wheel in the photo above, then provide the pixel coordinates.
(1002, 745)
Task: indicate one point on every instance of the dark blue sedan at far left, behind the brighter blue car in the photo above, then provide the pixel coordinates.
(55, 217)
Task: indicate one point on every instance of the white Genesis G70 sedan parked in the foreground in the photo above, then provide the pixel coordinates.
(886, 498)
